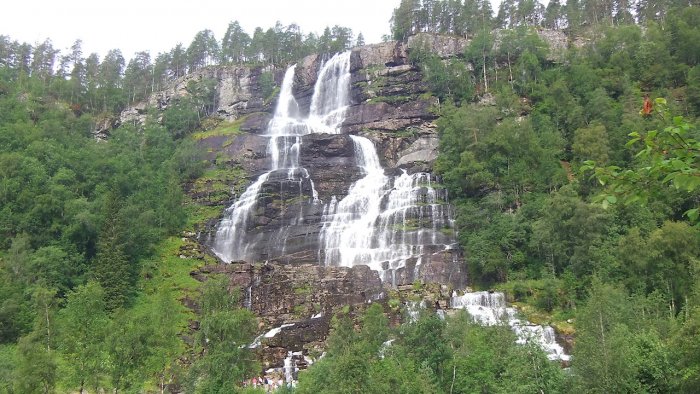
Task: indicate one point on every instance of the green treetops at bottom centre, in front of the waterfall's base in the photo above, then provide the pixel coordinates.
(428, 355)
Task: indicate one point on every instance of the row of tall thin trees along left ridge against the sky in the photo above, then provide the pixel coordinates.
(111, 83)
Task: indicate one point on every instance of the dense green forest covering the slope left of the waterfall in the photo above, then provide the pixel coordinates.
(79, 219)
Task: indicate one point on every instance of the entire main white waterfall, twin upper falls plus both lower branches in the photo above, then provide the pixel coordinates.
(386, 222)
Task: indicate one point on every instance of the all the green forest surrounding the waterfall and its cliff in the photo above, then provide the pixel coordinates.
(572, 196)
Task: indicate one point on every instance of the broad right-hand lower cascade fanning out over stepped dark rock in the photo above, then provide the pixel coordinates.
(383, 222)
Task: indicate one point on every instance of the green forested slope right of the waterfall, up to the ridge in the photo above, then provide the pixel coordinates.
(568, 197)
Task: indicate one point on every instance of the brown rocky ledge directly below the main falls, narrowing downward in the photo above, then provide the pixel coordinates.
(302, 298)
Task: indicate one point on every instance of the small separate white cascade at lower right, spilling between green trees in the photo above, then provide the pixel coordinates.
(490, 308)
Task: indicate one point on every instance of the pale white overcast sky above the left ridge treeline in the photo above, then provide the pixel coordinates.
(158, 25)
